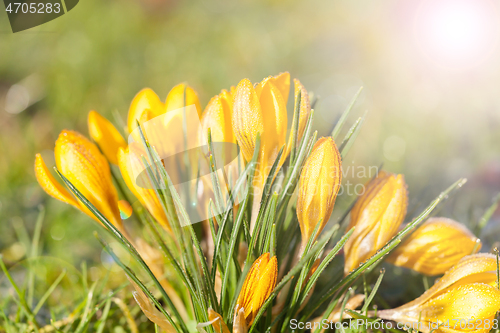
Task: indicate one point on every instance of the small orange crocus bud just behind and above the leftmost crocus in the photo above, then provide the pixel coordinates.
(106, 136)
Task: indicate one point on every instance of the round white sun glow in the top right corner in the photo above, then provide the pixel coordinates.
(457, 34)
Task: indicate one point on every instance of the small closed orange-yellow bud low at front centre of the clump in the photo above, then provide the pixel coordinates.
(258, 285)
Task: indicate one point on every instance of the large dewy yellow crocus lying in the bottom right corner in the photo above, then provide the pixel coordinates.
(467, 292)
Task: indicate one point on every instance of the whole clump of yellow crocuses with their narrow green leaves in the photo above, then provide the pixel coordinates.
(252, 262)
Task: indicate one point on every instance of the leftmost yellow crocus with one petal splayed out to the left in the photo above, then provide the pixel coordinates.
(81, 162)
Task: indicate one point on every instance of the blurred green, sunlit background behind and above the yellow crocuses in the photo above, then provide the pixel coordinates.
(429, 69)
